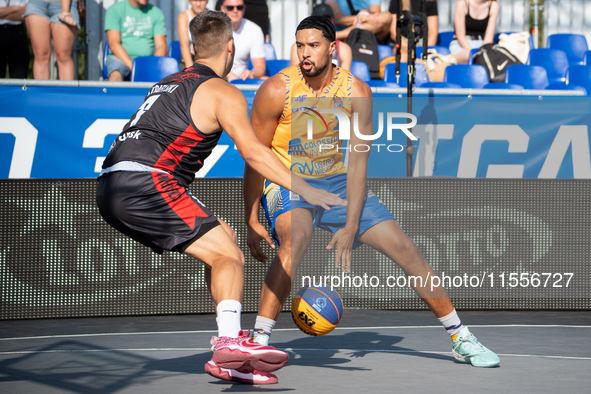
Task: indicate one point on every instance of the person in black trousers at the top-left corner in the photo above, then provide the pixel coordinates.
(14, 44)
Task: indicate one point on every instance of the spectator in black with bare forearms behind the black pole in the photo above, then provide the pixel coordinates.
(432, 24)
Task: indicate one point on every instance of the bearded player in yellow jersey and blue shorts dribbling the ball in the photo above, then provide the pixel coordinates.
(292, 221)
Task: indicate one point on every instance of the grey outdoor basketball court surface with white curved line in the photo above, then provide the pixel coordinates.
(370, 351)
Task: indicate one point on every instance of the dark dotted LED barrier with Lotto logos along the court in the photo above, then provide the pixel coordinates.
(494, 244)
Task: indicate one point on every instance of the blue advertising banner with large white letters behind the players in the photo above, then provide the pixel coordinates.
(66, 131)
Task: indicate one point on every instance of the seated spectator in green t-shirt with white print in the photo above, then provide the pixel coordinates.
(134, 28)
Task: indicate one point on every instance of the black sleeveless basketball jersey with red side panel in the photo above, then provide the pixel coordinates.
(162, 134)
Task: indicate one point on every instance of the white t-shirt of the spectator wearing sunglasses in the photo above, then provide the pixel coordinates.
(249, 42)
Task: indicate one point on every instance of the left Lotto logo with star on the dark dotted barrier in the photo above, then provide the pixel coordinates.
(76, 267)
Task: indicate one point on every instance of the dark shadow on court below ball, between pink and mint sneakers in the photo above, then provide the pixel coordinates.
(324, 351)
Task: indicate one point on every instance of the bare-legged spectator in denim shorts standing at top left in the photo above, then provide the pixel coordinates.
(43, 24)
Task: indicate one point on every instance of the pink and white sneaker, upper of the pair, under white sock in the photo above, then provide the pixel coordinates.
(234, 353)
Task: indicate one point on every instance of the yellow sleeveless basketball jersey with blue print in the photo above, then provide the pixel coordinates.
(321, 155)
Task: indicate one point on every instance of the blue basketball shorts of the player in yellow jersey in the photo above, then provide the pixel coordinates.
(277, 200)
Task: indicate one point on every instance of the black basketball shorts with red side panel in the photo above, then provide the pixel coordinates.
(153, 209)
